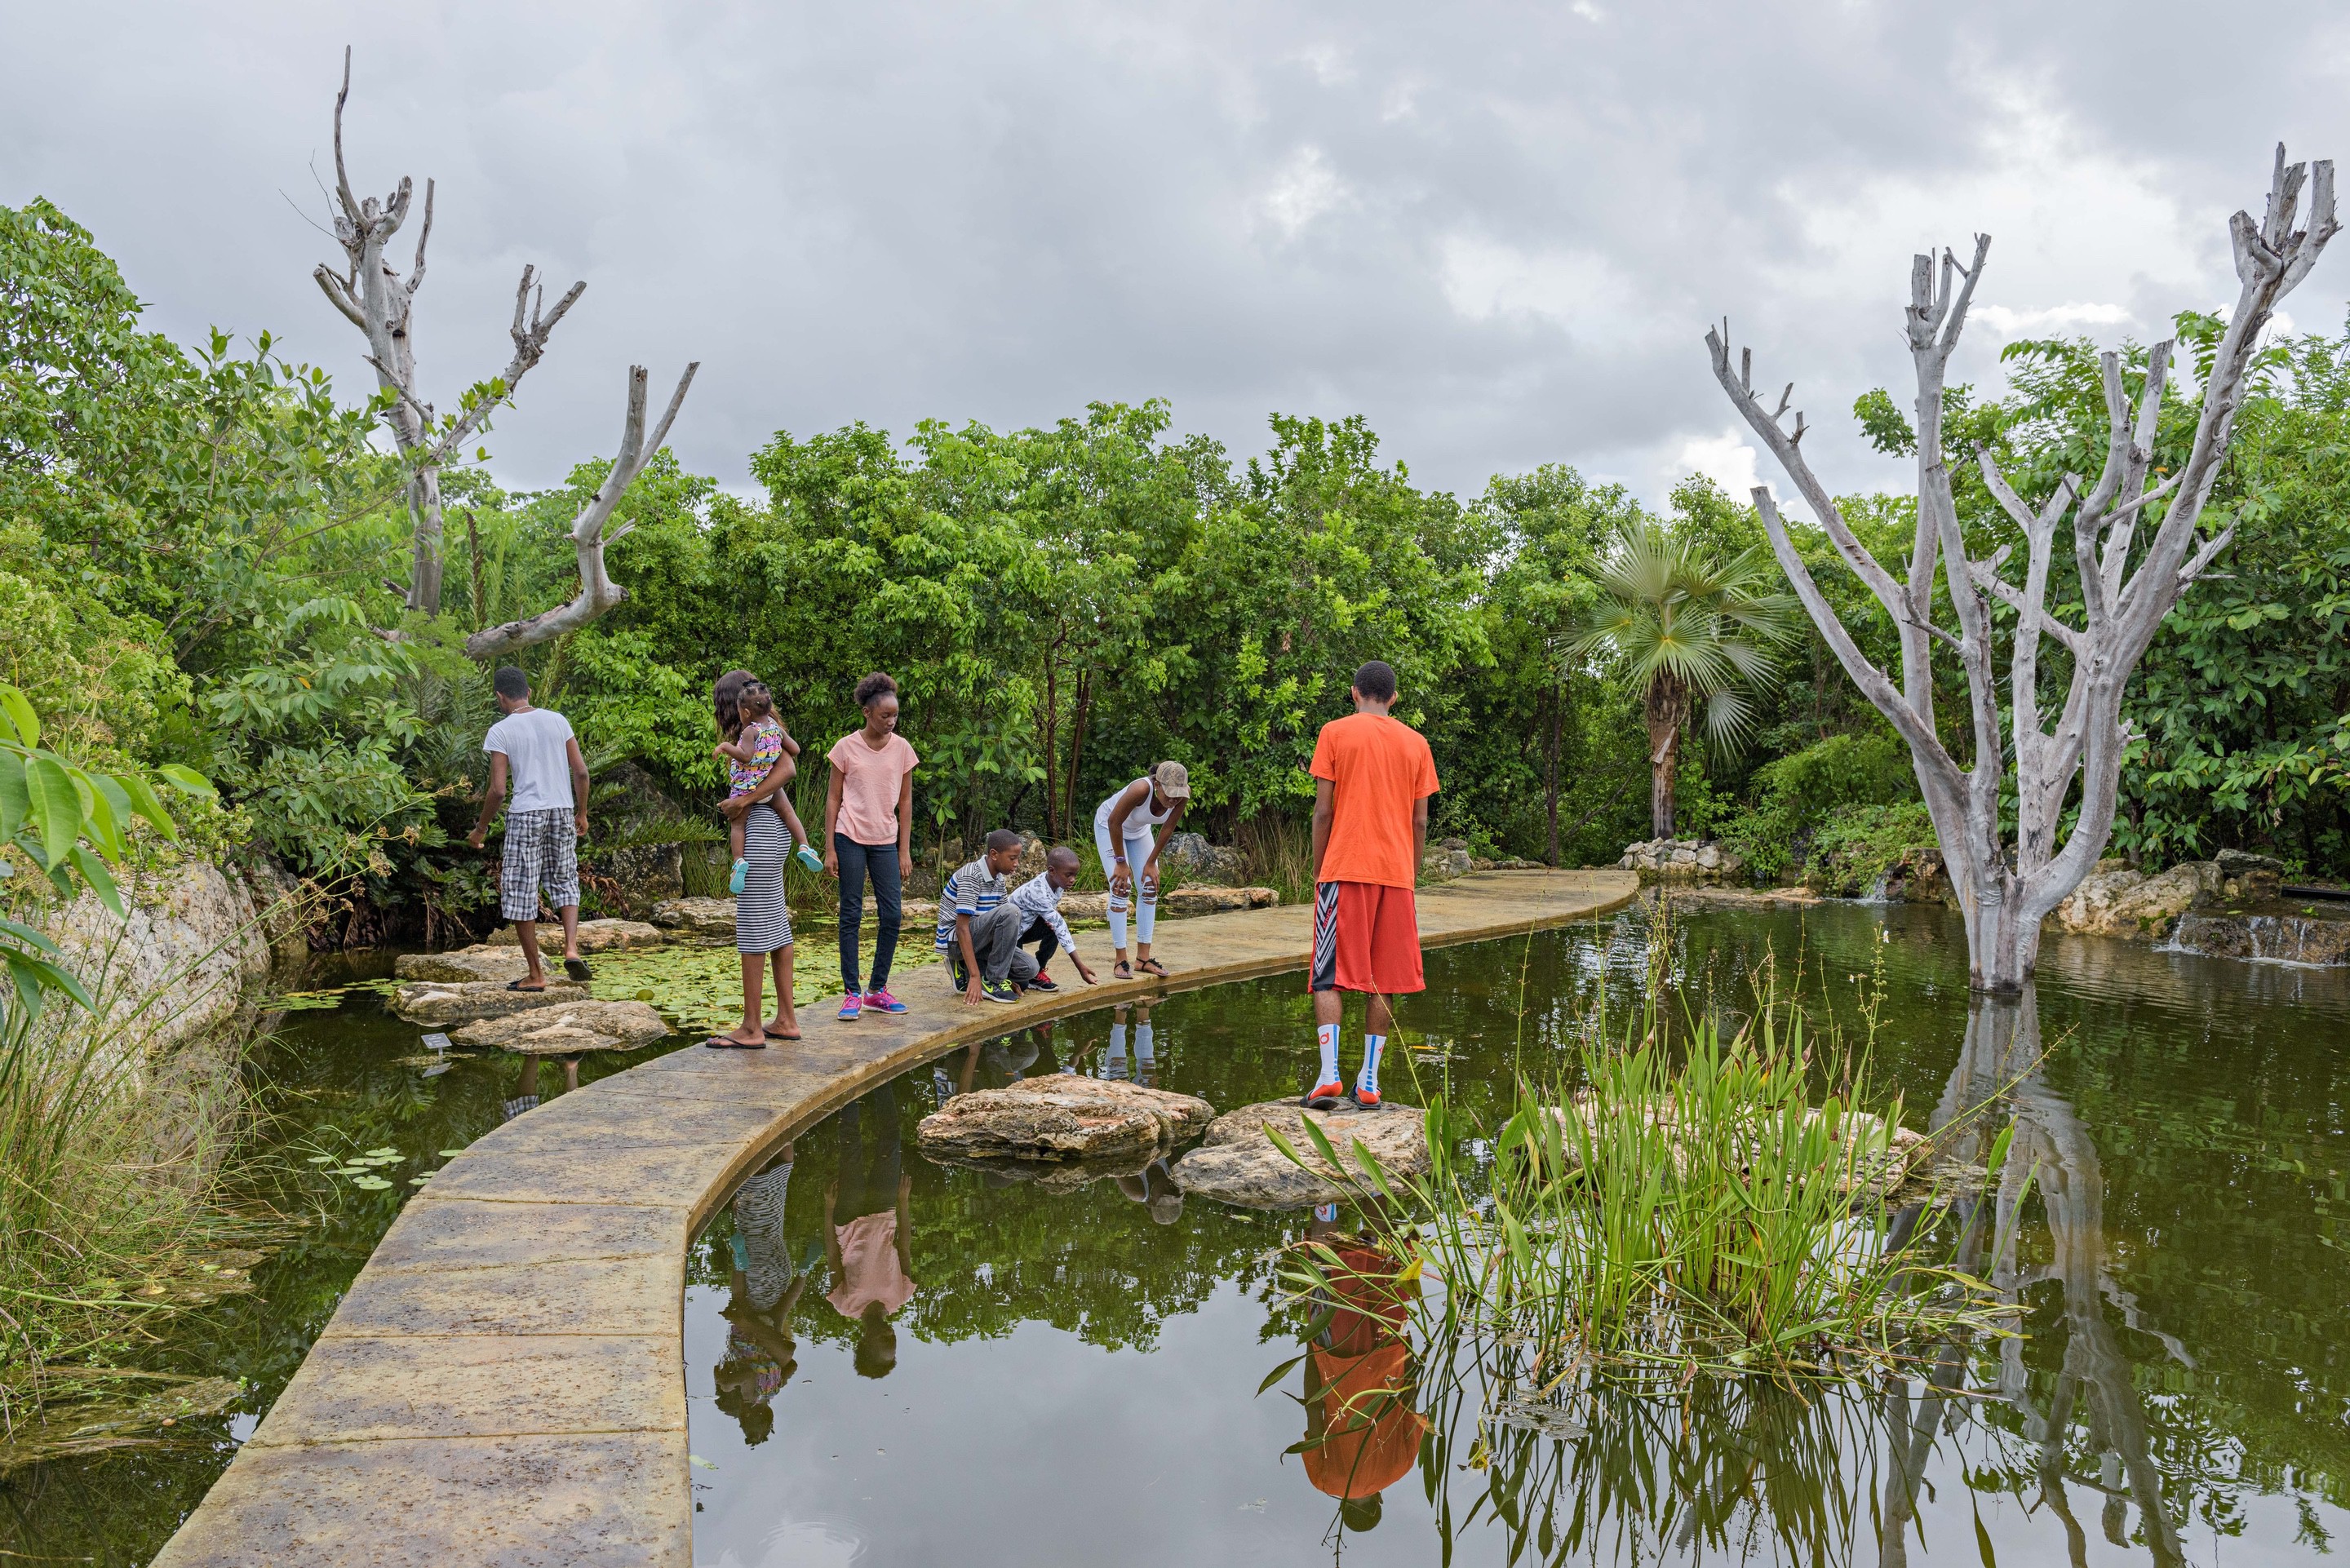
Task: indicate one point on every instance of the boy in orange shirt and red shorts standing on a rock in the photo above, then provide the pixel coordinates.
(1374, 779)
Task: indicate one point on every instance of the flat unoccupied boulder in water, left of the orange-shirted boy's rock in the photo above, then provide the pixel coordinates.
(1063, 1118)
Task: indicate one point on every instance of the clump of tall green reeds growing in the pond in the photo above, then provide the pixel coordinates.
(1717, 1202)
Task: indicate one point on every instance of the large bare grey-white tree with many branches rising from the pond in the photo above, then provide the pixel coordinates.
(2008, 883)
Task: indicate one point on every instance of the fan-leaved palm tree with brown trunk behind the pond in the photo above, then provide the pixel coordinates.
(1688, 629)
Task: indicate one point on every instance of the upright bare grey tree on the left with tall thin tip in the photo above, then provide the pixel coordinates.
(380, 302)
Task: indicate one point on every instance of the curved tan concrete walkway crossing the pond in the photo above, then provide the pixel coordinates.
(504, 1383)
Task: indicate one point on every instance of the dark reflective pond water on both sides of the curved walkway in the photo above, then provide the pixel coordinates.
(1028, 1376)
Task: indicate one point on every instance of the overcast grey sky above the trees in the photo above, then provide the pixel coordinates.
(1493, 232)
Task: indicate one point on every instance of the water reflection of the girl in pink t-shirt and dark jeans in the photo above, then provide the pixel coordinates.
(868, 1238)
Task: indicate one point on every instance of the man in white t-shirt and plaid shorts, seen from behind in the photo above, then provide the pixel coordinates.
(544, 822)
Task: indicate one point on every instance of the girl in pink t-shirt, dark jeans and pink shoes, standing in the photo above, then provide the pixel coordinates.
(871, 831)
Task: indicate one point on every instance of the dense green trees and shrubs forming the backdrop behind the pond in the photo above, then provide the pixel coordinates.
(201, 554)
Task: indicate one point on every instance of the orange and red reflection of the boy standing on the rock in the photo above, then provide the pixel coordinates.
(1362, 1428)
